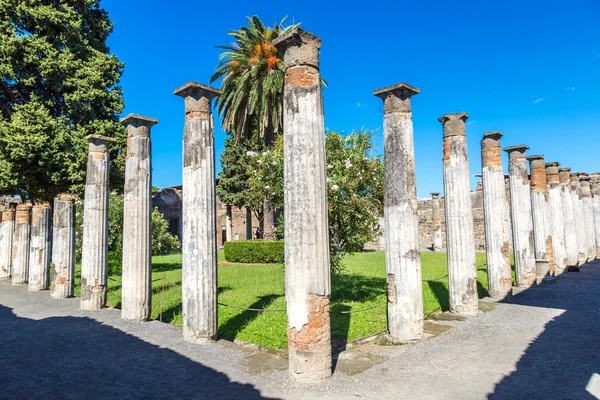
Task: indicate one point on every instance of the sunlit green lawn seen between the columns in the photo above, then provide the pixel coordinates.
(362, 285)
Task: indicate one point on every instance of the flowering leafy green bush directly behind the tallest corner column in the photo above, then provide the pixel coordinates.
(355, 189)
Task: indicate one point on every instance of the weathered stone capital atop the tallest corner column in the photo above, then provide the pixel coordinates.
(300, 48)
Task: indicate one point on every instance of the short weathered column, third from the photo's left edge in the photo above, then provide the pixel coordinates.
(39, 248)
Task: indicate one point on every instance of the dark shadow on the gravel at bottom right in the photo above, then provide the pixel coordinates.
(559, 363)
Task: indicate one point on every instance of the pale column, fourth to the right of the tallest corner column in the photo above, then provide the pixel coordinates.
(520, 204)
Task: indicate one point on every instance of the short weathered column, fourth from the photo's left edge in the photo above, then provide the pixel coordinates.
(63, 247)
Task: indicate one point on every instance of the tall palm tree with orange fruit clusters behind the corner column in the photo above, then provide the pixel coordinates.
(251, 100)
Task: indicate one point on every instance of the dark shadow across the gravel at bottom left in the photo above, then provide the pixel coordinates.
(78, 358)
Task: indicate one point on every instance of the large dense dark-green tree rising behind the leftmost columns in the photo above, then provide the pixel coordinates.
(58, 84)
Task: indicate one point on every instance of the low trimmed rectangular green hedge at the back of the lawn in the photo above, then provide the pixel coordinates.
(254, 251)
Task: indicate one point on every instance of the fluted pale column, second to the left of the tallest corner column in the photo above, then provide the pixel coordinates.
(136, 304)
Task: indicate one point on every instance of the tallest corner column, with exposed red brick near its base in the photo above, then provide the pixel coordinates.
(307, 273)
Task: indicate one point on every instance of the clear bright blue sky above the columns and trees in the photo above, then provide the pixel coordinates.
(527, 68)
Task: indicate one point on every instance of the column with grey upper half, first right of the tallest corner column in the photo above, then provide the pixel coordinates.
(403, 261)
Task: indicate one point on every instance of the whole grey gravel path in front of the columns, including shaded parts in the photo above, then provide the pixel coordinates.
(542, 343)
